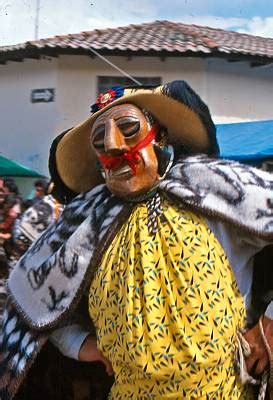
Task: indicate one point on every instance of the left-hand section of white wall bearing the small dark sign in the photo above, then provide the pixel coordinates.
(25, 126)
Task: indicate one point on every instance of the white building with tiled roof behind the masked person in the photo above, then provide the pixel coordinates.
(48, 85)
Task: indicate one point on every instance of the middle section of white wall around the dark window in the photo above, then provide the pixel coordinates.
(77, 80)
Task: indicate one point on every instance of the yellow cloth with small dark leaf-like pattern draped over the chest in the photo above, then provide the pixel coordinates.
(167, 309)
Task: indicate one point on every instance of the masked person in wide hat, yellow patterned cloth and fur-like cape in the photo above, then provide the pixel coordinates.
(156, 246)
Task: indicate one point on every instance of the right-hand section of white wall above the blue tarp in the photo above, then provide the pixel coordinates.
(237, 92)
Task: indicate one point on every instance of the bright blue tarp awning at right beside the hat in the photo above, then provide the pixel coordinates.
(246, 141)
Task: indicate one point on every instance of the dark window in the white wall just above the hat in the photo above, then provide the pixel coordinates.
(106, 82)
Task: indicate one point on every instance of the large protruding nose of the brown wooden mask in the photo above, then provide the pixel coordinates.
(114, 142)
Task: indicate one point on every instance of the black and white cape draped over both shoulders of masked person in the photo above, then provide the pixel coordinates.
(47, 284)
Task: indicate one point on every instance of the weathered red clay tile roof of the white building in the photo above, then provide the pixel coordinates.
(155, 38)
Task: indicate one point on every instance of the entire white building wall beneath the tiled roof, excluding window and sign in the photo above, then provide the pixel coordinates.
(233, 91)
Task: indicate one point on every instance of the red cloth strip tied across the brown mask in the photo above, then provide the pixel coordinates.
(132, 156)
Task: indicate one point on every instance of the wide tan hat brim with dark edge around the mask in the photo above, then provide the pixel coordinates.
(175, 106)
